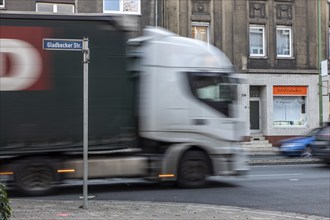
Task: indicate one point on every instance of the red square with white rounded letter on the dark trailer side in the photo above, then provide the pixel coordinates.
(24, 65)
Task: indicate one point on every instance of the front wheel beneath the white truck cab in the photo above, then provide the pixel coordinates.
(193, 169)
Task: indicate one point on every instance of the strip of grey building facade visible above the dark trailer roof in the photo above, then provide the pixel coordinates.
(138, 13)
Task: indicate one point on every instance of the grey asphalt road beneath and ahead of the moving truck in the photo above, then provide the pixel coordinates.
(303, 188)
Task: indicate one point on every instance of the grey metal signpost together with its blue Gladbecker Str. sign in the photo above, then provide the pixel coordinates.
(77, 45)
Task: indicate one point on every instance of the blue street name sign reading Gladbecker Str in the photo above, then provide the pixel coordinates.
(62, 44)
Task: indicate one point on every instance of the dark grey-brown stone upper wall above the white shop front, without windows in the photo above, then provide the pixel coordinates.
(229, 22)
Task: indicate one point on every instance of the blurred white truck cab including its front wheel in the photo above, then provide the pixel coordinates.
(187, 101)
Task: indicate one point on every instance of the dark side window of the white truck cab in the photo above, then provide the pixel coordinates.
(217, 90)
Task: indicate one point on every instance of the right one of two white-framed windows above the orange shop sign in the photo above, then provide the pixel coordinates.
(283, 41)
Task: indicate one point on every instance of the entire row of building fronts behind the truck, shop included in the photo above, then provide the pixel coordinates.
(274, 44)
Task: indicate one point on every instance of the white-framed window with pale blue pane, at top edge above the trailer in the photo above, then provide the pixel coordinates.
(122, 6)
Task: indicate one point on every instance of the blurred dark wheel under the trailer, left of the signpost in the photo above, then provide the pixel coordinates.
(35, 177)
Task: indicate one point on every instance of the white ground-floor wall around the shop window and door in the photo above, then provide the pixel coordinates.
(267, 81)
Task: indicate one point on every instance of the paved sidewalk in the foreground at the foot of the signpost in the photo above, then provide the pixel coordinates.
(124, 210)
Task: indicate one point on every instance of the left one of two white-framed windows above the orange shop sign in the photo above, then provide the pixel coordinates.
(257, 41)
